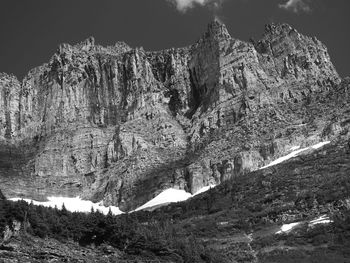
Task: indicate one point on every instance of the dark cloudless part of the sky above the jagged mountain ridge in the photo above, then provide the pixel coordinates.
(31, 30)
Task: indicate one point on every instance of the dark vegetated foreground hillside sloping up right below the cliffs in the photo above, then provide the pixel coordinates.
(237, 221)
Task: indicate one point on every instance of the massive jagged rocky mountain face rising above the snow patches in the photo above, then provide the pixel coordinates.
(119, 124)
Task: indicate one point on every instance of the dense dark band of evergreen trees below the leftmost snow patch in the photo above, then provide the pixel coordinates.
(125, 232)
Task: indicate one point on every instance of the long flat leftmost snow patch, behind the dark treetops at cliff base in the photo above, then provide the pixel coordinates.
(73, 204)
